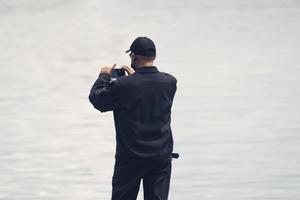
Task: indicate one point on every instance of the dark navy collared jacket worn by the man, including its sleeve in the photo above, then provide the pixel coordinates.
(141, 105)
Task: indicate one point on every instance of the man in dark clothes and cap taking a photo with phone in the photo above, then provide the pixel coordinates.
(141, 103)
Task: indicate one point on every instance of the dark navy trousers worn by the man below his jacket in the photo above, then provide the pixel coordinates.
(128, 175)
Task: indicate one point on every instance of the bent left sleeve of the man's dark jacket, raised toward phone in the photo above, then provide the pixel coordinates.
(105, 94)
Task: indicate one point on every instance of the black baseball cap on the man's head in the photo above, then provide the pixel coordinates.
(143, 46)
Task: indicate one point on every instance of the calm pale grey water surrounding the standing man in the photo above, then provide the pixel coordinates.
(235, 117)
